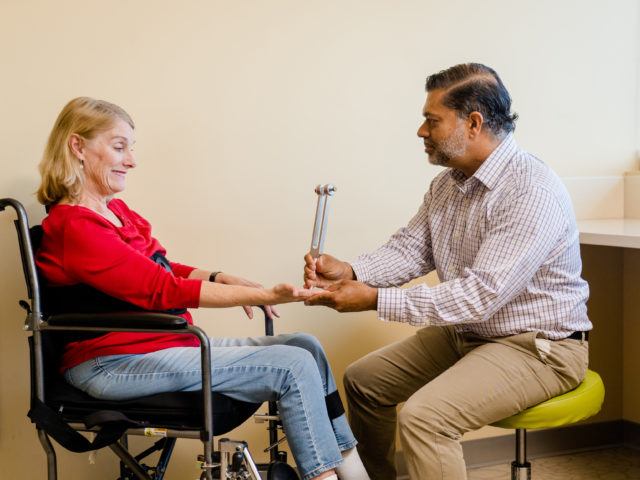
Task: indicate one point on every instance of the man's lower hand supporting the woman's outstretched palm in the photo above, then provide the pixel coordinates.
(347, 296)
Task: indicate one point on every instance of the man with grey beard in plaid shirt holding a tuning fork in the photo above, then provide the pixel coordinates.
(506, 327)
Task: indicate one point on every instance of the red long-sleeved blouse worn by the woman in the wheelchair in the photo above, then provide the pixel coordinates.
(81, 246)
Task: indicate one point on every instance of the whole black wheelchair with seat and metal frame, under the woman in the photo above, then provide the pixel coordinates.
(61, 411)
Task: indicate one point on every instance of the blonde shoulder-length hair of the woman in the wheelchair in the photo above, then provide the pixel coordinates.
(61, 172)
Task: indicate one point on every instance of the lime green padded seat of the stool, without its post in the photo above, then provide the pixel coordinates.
(582, 402)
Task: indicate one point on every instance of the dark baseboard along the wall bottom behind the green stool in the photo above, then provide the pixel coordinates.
(545, 443)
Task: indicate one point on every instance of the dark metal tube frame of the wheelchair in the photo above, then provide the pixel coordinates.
(233, 459)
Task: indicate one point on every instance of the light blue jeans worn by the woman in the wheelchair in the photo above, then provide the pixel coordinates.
(291, 369)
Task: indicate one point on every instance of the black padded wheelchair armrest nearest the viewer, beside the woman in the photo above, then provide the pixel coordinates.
(145, 320)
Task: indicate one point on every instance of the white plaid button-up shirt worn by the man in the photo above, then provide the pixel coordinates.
(505, 245)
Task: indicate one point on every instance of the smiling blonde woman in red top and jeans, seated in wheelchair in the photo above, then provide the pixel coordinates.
(101, 255)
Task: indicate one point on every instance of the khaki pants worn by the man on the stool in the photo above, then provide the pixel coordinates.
(452, 383)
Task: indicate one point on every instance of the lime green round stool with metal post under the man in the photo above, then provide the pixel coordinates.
(582, 402)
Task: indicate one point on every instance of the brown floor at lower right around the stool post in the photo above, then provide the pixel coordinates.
(612, 464)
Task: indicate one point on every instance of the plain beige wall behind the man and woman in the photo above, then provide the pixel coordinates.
(242, 107)
